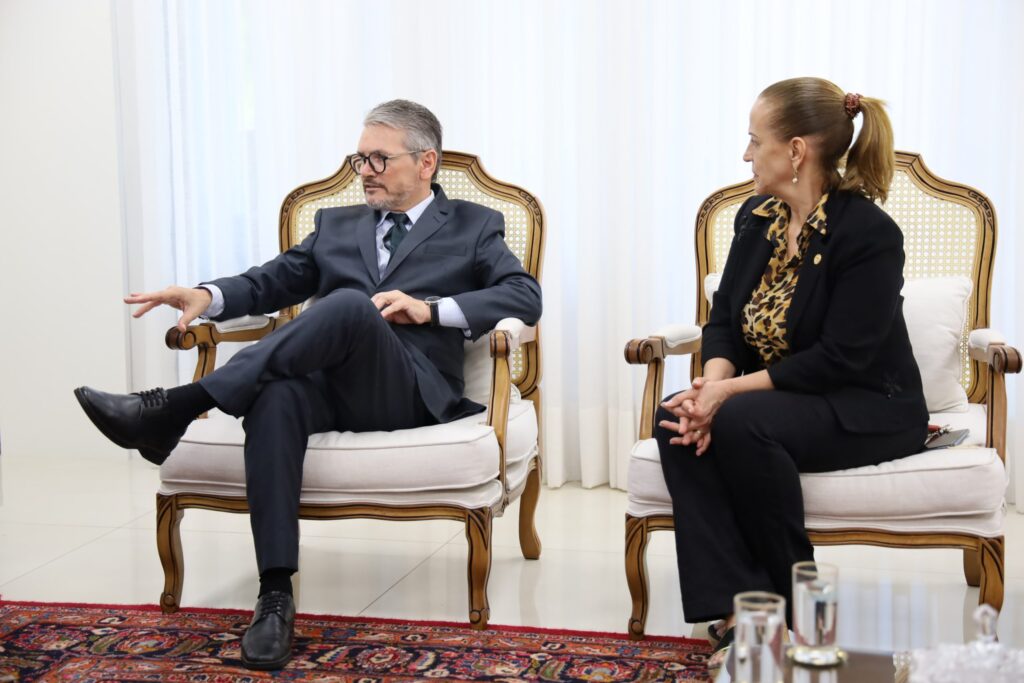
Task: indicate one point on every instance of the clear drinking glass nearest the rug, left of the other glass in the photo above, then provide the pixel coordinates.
(757, 650)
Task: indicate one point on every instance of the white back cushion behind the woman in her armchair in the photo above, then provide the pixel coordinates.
(935, 310)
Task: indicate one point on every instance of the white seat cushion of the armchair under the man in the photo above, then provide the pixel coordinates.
(438, 461)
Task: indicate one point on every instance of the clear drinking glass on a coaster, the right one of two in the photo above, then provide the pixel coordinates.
(815, 605)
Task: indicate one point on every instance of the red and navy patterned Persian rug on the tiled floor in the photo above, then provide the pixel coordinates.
(56, 643)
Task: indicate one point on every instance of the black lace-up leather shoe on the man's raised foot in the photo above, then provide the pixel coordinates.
(141, 421)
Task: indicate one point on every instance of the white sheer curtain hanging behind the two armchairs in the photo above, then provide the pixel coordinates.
(621, 116)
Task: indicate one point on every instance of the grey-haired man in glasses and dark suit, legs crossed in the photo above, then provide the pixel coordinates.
(401, 284)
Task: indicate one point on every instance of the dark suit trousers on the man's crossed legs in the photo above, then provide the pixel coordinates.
(337, 367)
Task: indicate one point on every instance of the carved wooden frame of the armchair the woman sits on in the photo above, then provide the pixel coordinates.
(984, 379)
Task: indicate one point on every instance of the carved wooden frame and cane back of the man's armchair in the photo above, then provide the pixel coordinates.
(517, 357)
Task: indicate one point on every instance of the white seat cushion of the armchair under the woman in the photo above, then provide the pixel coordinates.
(958, 490)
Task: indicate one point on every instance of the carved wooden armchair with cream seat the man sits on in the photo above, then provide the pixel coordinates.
(481, 464)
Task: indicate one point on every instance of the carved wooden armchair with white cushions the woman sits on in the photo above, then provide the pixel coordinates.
(944, 499)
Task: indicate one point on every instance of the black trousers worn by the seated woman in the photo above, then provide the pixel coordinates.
(739, 509)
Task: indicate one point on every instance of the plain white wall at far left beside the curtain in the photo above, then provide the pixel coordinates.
(62, 269)
